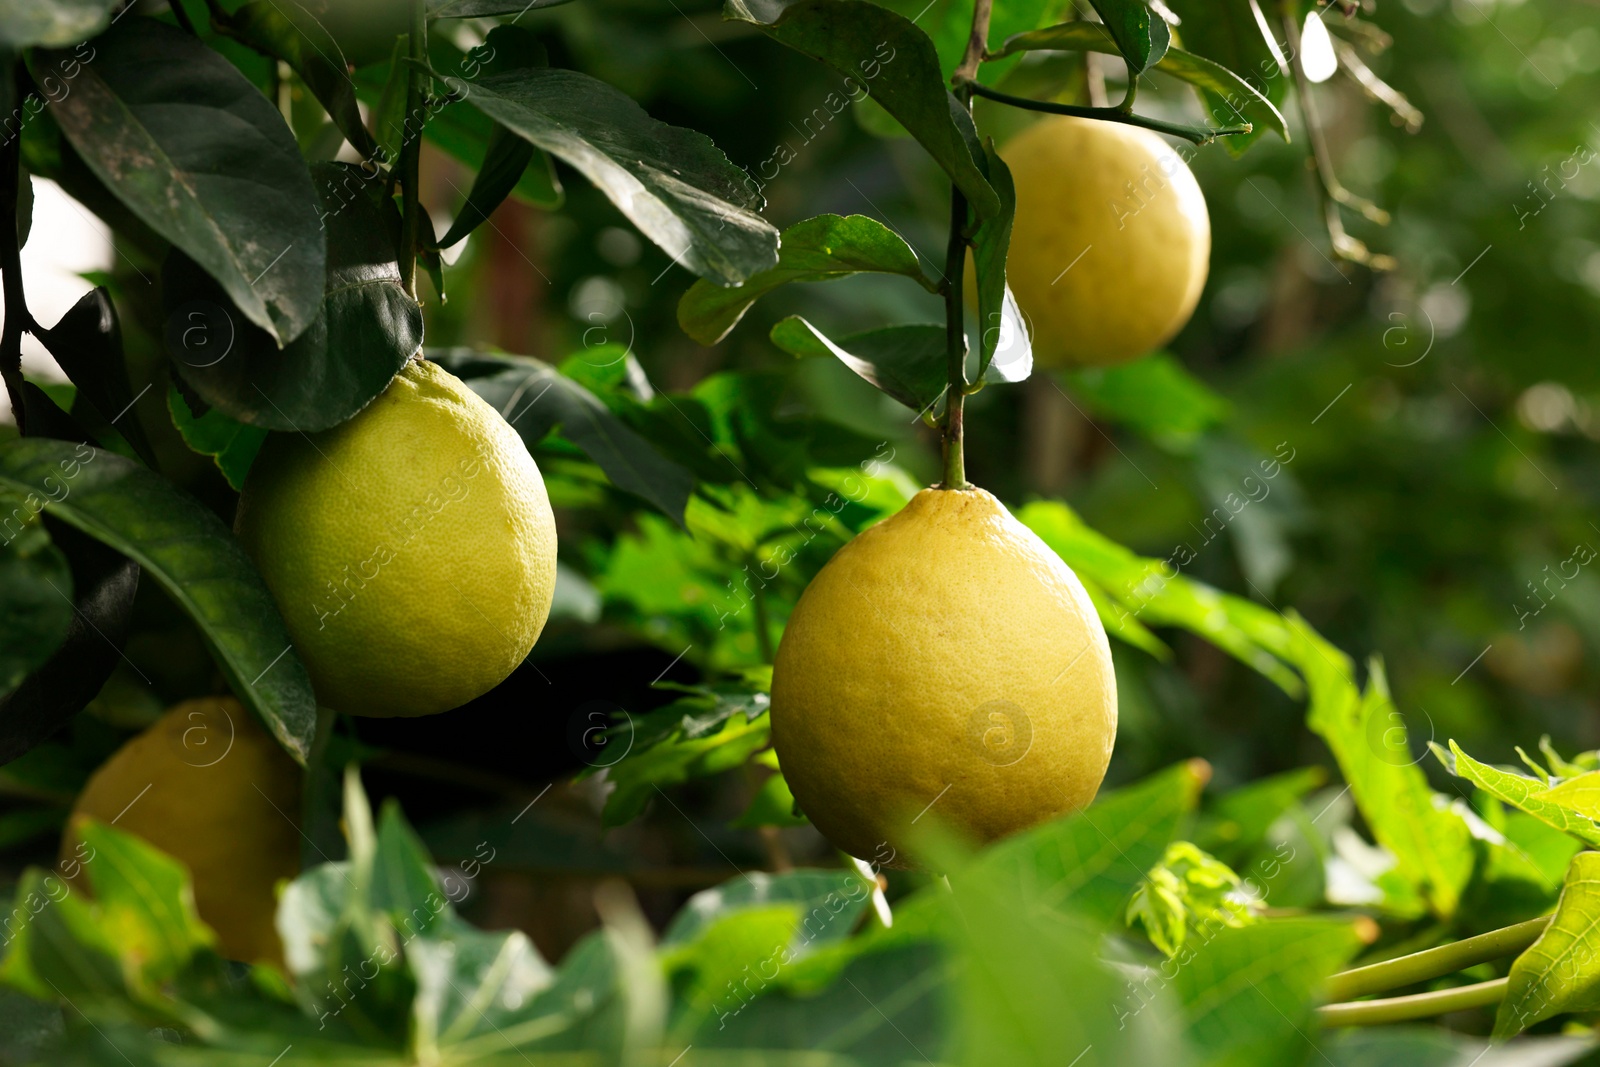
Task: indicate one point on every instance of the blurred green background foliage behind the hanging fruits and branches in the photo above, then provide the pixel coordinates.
(1438, 433)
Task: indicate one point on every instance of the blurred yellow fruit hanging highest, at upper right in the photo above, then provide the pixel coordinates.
(1111, 242)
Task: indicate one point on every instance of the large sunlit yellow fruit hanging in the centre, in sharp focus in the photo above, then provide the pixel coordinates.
(943, 661)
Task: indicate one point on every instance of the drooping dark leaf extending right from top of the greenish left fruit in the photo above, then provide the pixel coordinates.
(535, 399)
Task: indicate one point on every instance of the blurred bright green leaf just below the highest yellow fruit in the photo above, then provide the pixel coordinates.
(1154, 396)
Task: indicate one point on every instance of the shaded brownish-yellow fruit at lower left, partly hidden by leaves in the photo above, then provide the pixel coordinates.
(209, 786)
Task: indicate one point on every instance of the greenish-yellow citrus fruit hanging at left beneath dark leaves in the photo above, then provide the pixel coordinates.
(412, 549)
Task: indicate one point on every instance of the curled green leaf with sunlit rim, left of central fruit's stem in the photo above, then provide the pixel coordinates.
(814, 250)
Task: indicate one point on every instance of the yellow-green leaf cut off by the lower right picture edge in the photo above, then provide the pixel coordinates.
(1561, 972)
